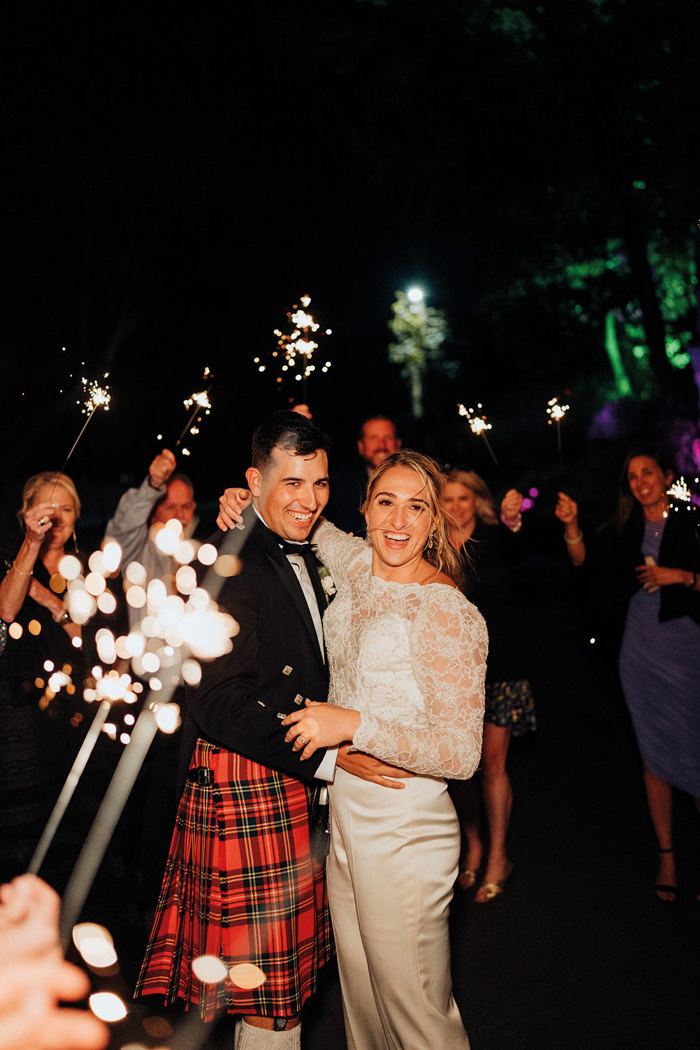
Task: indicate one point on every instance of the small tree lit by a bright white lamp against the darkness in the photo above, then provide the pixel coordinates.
(419, 332)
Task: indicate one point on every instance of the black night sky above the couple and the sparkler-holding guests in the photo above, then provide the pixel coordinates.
(176, 180)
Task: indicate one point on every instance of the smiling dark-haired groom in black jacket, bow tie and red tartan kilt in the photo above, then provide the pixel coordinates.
(257, 891)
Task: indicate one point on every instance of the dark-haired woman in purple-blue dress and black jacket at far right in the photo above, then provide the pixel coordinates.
(652, 553)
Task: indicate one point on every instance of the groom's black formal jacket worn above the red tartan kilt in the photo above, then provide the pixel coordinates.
(275, 663)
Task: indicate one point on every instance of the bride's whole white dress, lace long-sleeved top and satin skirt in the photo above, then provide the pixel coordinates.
(412, 660)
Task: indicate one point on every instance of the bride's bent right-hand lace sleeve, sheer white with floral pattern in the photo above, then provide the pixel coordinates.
(449, 652)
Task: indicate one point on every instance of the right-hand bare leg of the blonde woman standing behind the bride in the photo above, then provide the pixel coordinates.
(498, 800)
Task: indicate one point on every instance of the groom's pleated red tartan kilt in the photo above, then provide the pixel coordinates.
(240, 885)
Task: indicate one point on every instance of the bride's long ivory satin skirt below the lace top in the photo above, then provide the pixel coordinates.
(391, 872)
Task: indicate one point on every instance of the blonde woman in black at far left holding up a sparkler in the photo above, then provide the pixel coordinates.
(37, 741)
